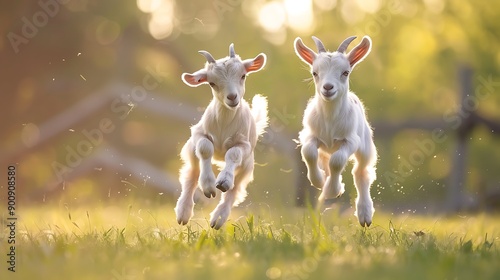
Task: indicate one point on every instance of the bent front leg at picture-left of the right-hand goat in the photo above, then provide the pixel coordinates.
(309, 153)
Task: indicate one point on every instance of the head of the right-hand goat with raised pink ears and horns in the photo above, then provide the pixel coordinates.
(331, 70)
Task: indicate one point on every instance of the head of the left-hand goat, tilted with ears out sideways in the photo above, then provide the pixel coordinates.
(225, 76)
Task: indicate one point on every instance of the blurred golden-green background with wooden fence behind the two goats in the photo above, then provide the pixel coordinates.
(94, 109)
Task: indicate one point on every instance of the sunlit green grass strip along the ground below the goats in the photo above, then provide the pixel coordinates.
(131, 242)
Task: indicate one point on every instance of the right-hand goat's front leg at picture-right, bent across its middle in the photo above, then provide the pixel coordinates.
(333, 186)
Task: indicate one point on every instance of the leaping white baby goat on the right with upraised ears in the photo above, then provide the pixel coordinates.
(335, 124)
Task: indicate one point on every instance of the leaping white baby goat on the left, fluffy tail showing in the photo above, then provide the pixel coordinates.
(227, 133)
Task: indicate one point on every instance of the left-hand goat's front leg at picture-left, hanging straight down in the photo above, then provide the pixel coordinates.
(205, 152)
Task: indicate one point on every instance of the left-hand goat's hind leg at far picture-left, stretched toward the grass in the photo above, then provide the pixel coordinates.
(189, 180)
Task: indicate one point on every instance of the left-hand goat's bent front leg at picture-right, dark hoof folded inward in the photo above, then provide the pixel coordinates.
(233, 158)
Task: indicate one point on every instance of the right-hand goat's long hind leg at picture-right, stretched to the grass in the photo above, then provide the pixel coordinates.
(364, 175)
